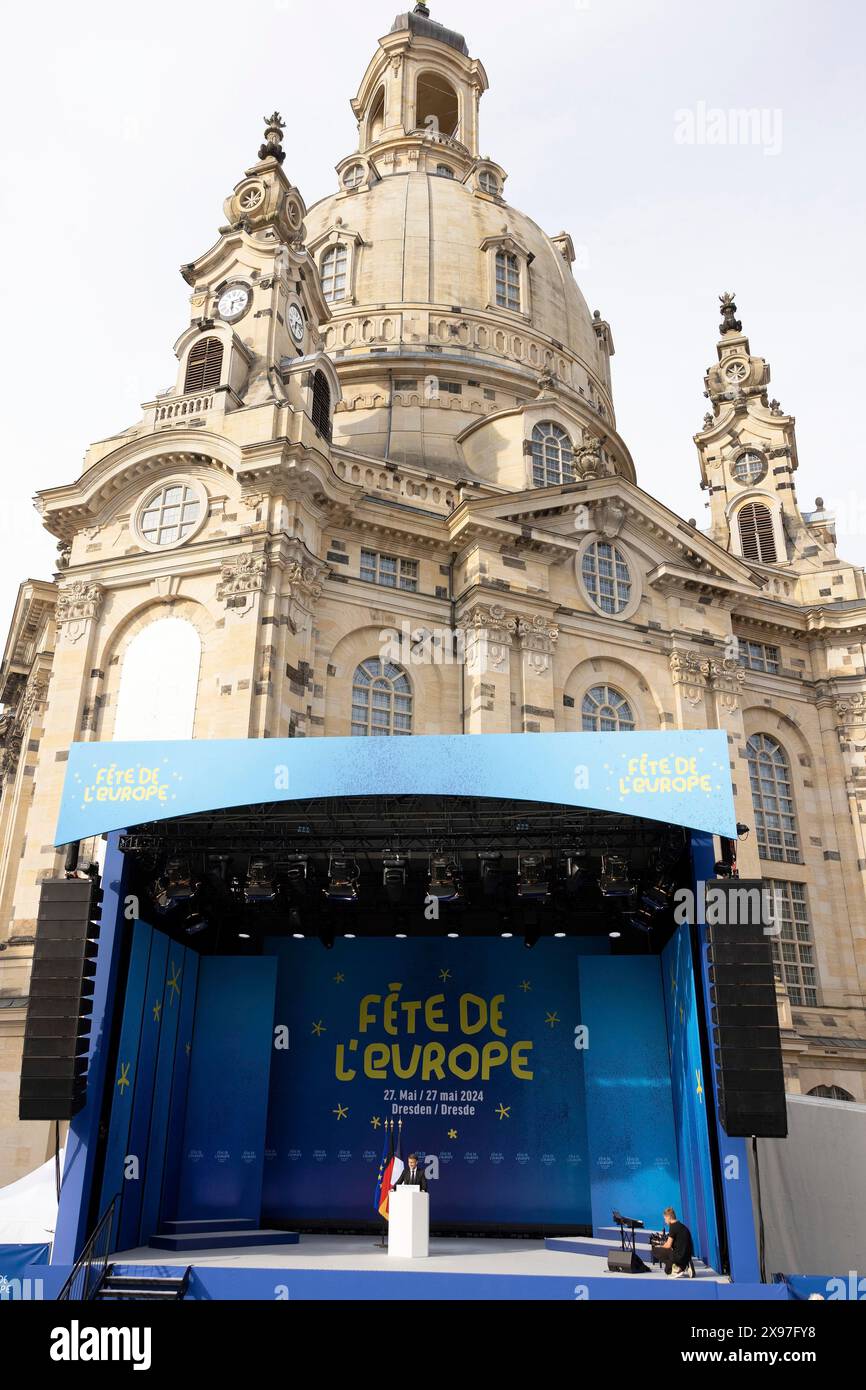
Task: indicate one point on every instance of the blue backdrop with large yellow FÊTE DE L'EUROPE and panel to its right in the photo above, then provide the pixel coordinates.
(477, 1047)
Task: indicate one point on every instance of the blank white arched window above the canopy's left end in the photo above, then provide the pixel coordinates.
(159, 683)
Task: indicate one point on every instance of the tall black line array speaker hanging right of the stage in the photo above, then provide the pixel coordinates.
(744, 1020)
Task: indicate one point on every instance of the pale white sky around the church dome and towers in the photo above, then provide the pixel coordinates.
(124, 129)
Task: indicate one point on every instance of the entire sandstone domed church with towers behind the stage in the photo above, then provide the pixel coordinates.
(387, 496)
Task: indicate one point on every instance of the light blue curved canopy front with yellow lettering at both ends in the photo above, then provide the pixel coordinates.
(680, 778)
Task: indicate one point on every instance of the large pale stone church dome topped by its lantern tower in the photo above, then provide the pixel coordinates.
(455, 315)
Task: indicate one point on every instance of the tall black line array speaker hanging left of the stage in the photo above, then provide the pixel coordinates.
(58, 1029)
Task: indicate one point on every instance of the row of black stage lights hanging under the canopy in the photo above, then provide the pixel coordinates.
(543, 879)
